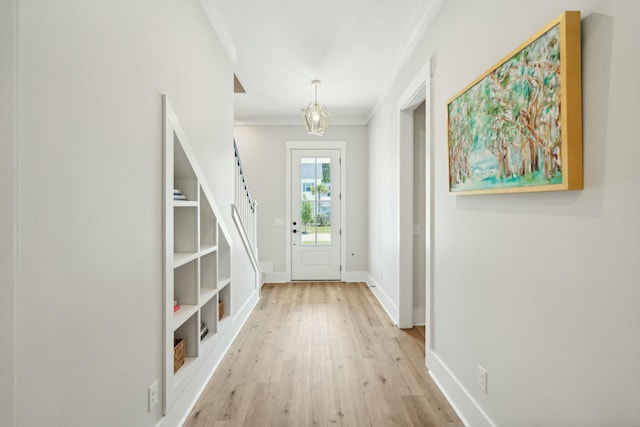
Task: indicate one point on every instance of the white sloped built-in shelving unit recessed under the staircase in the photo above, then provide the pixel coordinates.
(197, 261)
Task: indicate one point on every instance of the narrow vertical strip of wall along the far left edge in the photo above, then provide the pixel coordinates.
(8, 184)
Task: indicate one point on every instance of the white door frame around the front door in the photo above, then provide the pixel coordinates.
(317, 145)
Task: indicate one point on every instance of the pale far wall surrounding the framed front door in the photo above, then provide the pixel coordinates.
(263, 156)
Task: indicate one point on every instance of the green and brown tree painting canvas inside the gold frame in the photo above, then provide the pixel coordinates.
(505, 130)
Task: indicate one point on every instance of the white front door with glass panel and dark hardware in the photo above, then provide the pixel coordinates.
(315, 215)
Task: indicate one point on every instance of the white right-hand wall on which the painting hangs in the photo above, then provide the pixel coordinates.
(540, 289)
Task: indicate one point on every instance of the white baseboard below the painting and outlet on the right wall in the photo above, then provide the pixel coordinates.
(471, 414)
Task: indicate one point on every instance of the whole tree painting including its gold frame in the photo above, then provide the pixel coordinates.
(518, 127)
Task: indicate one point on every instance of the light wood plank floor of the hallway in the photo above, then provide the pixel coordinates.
(322, 354)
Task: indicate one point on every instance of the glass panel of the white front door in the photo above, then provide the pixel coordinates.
(315, 197)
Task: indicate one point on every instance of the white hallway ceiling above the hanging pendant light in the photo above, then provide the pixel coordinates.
(355, 47)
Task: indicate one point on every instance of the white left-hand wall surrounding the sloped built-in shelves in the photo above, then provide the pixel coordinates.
(89, 302)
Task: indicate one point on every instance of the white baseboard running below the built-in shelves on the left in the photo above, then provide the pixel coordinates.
(187, 400)
